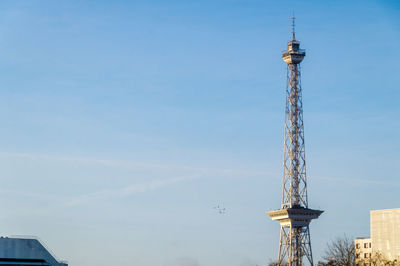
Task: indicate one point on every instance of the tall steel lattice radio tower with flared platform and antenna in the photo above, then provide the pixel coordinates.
(294, 216)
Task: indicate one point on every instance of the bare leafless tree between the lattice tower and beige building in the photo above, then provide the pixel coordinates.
(340, 251)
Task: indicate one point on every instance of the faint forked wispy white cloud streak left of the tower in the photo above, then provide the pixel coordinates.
(168, 175)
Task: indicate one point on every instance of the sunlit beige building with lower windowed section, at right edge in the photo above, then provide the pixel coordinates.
(385, 236)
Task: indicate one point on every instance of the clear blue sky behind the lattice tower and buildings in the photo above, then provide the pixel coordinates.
(124, 123)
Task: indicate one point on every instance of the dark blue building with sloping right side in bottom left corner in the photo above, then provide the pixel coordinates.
(26, 251)
